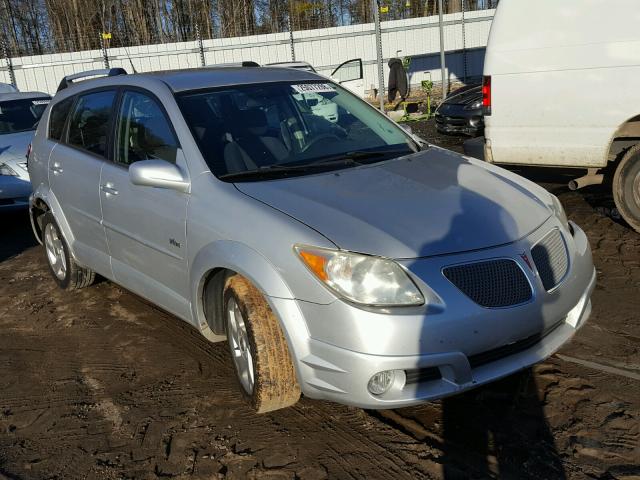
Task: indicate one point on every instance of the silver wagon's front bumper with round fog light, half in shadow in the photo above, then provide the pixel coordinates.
(438, 352)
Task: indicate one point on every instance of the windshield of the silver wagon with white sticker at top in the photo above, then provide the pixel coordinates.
(280, 127)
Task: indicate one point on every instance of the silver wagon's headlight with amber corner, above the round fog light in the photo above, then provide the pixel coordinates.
(362, 279)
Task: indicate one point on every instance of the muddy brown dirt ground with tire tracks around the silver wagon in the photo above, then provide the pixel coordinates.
(100, 384)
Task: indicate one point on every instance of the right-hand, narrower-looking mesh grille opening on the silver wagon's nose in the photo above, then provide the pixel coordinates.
(550, 257)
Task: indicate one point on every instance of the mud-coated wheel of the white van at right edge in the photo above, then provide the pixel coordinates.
(626, 187)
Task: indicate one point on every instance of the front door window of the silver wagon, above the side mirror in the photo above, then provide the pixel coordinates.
(144, 133)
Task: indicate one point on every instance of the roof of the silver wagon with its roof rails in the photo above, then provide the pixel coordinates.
(199, 78)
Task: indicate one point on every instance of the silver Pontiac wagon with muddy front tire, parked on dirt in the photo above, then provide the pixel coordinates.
(343, 258)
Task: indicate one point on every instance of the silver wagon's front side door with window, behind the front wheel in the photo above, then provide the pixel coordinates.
(145, 226)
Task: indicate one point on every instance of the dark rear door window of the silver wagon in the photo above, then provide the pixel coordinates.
(89, 127)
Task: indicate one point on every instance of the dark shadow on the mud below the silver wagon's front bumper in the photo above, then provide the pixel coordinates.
(499, 430)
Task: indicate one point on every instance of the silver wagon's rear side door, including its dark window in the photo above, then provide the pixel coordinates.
(75, 165)
